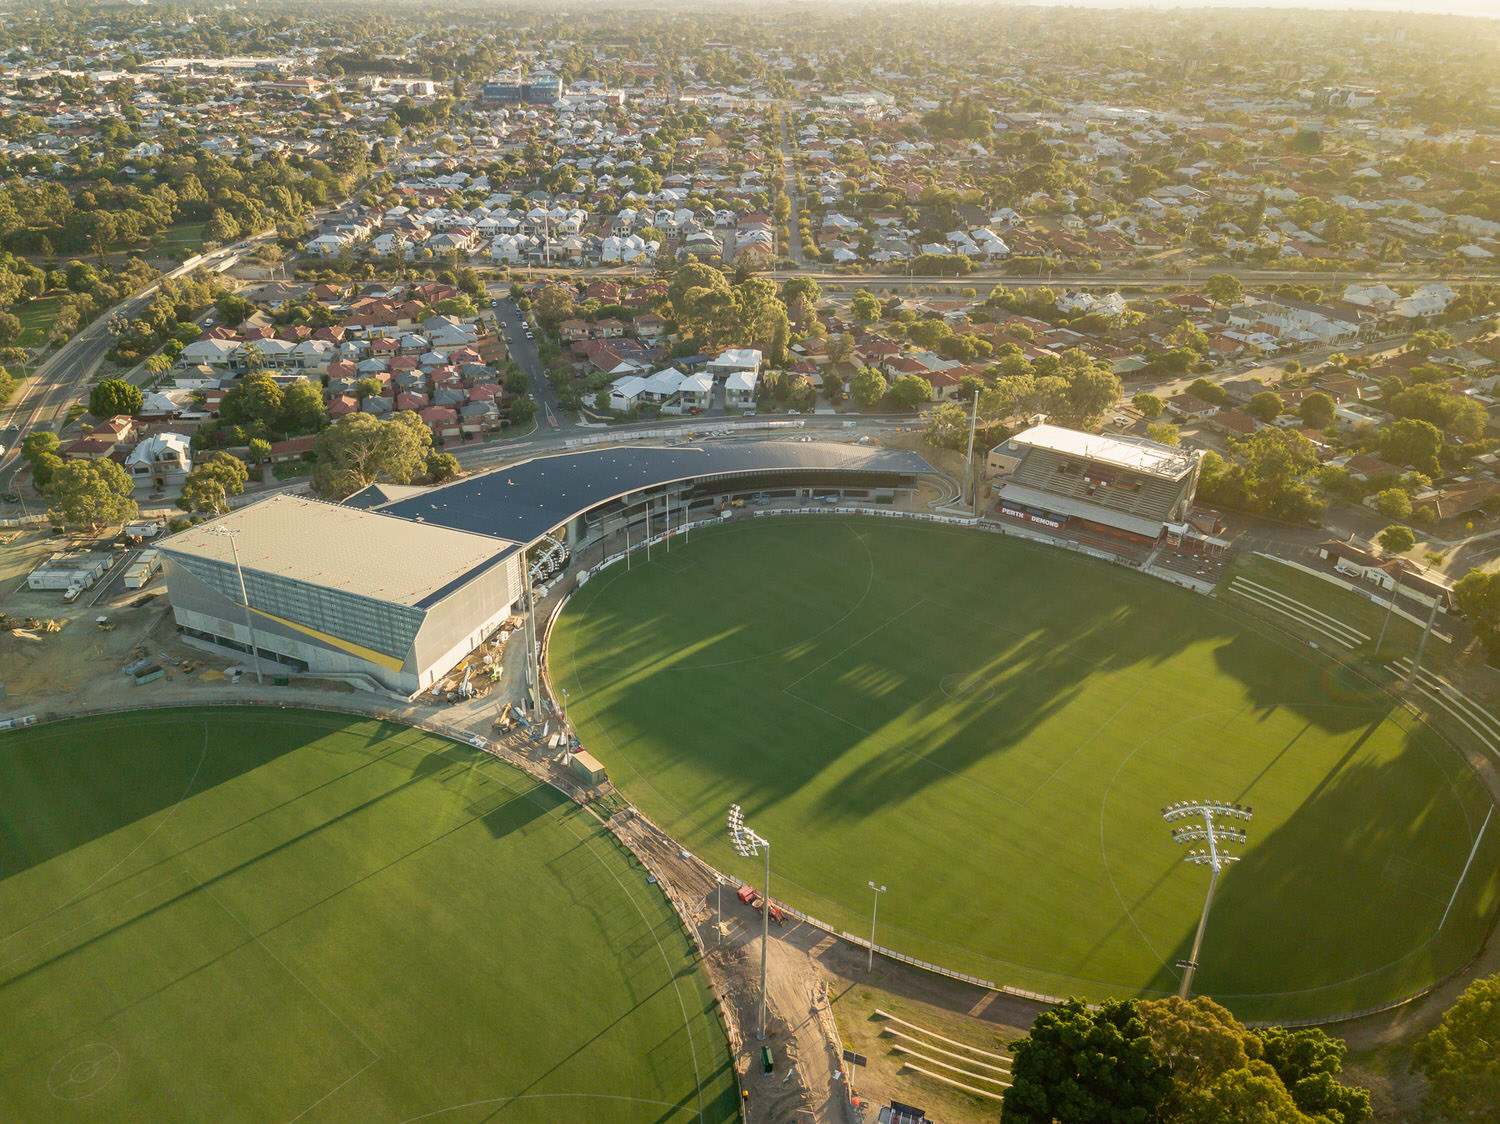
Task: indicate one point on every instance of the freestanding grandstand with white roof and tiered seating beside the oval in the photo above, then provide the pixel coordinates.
(1121, 487)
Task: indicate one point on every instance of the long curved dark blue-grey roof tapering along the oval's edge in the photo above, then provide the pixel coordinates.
(527, 500)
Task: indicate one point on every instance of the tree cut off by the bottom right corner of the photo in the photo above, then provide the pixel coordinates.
(1460, 1056)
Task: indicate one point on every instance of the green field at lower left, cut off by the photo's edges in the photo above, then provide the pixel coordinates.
(286, 916)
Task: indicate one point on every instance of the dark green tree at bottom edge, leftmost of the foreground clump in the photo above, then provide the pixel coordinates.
(1087, 1068)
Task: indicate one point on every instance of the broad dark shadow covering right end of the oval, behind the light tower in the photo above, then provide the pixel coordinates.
(1349, 889)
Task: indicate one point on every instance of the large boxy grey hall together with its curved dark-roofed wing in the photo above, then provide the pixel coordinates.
(395, 586)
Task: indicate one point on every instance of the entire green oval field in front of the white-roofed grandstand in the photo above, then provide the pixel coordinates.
(991, 729)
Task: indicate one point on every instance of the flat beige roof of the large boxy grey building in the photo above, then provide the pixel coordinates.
(341, 548)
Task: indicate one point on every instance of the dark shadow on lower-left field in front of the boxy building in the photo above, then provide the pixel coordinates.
(67, 786)
